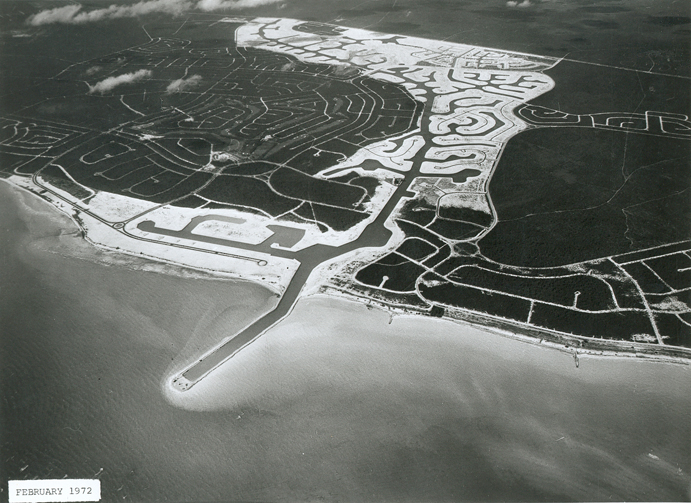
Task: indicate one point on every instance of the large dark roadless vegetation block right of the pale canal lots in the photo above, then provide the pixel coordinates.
(561, 195)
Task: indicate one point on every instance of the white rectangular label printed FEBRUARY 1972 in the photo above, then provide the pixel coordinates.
(57, 490)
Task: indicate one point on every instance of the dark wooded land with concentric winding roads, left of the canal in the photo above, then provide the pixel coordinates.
(273, 116)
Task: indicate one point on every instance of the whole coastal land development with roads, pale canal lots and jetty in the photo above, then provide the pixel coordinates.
(417, 175)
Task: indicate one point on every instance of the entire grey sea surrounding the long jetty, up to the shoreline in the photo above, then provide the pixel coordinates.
(333, 404)
